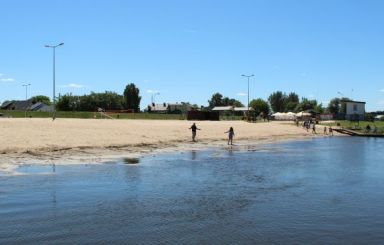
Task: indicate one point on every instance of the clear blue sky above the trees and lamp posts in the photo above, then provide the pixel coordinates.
(187, 50)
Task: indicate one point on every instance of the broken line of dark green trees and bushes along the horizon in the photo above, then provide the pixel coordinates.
(130, 99)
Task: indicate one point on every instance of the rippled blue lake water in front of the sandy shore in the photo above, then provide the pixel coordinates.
(320, 191)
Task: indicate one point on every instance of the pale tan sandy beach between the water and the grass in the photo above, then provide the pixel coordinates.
(41, 140)
